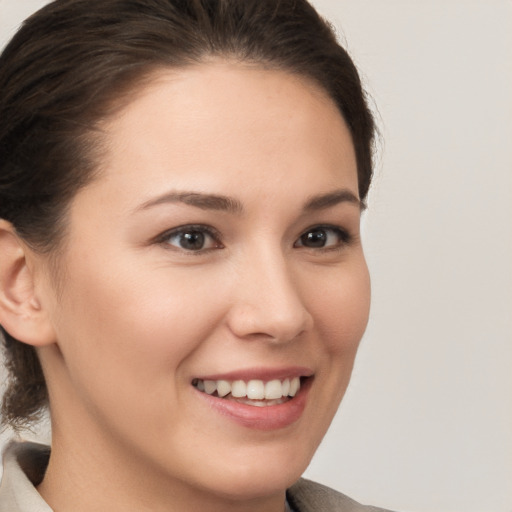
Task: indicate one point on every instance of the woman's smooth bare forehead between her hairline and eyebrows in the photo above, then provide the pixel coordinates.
(225, 120)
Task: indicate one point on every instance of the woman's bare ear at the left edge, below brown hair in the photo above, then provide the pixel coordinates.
(21, 313)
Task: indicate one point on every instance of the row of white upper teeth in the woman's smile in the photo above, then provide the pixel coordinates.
(255, 389)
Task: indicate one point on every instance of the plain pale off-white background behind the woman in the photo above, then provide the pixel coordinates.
(427, 422)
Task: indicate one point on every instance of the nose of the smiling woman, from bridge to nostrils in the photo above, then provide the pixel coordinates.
(267, 303)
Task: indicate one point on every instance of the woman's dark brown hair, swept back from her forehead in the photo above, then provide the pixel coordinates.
(73, 60)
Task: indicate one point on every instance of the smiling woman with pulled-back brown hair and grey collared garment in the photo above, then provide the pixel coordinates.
(182, 277)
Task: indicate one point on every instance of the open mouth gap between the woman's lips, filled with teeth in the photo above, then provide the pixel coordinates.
(253, 392)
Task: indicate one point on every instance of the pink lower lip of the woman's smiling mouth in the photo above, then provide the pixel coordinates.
(270, 417)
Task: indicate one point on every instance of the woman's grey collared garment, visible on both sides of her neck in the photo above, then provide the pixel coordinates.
(25, 464)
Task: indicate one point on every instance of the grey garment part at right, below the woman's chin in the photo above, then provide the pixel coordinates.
(308, 496)
